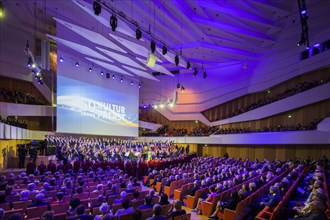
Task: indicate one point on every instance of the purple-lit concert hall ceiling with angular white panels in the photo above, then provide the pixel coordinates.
(210, 34)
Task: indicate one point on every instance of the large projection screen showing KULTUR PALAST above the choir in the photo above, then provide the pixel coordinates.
(88, 103)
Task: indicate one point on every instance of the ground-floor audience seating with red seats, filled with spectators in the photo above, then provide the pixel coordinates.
(100, 193)
